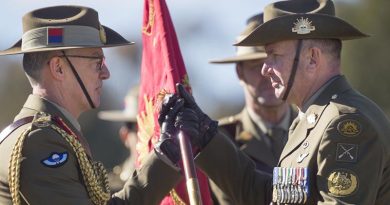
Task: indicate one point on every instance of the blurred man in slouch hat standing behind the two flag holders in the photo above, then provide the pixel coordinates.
(260, 130)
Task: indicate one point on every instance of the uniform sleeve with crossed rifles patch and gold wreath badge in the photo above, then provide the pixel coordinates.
(350, 160)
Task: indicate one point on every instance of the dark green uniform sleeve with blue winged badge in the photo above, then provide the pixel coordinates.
(49, 171)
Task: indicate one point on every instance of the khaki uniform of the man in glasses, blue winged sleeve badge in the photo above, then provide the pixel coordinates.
(50, 172)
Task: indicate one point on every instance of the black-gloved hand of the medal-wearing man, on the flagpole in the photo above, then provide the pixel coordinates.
(194, 122)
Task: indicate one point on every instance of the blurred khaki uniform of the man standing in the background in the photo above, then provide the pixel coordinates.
(253, 141)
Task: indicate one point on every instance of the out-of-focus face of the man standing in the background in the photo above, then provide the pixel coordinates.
(256, 87)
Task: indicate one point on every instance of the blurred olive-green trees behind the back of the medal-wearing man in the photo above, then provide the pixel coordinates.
(366, 61)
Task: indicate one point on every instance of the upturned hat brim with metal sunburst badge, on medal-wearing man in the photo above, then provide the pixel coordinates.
(280, 28)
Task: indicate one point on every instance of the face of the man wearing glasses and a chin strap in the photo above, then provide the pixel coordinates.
(92, 72)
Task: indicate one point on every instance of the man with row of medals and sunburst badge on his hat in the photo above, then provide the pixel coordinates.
(338, 147)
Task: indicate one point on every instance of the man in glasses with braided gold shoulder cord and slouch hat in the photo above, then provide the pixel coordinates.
(45, 158)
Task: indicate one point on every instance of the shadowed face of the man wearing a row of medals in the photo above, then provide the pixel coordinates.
(278, 65)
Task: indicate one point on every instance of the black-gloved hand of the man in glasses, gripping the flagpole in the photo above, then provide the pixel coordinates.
(168, 144)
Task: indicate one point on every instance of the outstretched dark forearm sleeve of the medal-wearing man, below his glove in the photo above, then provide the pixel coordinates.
(234, 172)
